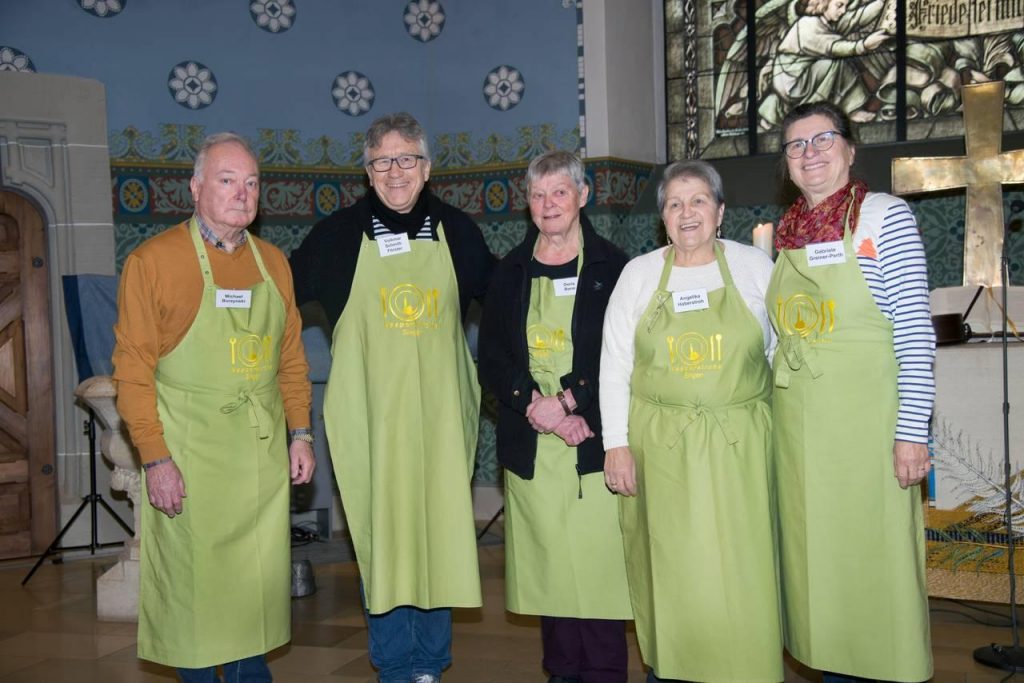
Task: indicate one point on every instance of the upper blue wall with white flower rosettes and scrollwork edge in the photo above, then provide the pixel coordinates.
(309, 76)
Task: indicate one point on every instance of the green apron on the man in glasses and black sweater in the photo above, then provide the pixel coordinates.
(402, 406)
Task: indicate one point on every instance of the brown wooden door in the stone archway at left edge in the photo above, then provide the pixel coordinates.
(28, 504)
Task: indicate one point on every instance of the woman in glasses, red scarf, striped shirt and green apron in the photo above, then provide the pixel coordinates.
(854, 396)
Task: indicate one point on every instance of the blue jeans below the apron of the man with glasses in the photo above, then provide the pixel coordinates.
(409, 642)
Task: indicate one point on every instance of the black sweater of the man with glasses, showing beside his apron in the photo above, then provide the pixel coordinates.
(324, 266)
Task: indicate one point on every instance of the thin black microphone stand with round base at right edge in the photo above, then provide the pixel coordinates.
(1008, 658)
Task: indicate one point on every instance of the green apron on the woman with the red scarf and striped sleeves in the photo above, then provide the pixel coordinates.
(851, 541)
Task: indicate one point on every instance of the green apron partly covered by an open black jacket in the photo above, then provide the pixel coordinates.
(564, 549)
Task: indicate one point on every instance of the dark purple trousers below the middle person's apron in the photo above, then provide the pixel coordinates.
(592, 651)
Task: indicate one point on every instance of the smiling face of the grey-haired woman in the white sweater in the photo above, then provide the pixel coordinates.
(692, 219)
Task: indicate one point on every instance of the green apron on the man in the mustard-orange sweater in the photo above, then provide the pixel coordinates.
(216, 580)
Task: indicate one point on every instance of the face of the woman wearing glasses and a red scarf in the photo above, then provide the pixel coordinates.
(819, 175)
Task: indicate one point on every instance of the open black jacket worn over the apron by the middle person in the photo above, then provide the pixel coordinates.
(504, 359)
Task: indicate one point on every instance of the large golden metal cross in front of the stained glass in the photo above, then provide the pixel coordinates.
(984, 172)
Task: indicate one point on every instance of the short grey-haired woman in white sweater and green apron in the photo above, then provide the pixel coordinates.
(686, 391)
